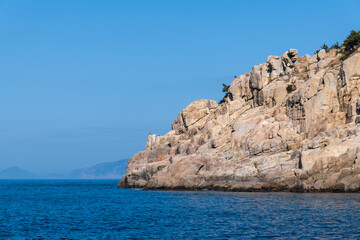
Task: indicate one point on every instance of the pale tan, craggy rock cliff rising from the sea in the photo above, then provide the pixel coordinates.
(292, 127)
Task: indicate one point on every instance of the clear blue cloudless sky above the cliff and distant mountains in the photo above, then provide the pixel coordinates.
(83, 82)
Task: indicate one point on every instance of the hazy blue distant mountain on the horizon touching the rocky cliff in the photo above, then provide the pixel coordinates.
(107, 170)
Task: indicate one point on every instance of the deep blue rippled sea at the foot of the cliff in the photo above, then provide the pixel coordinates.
(96, 209)
